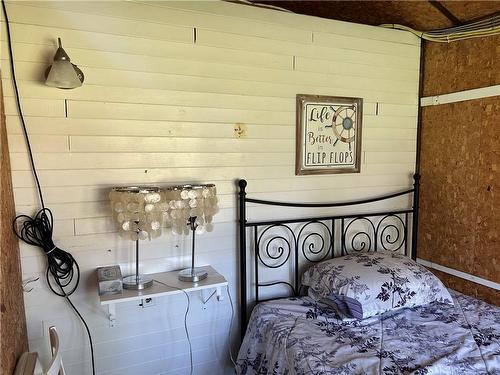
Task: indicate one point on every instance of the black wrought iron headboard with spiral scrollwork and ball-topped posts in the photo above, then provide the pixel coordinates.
(370, 242)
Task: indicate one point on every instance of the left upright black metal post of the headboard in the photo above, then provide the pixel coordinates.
(243, 257)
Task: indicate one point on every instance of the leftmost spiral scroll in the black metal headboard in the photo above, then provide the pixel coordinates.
(281, 252)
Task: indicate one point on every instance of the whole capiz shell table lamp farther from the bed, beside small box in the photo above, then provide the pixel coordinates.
(137, 211)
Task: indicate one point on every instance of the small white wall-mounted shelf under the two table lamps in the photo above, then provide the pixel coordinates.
(214, 281)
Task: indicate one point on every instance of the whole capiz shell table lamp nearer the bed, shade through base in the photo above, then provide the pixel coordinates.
(192, 208)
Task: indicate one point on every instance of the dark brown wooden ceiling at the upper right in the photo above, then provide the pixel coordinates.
(421, 15)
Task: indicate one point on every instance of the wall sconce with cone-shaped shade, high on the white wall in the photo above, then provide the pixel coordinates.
(62, 73)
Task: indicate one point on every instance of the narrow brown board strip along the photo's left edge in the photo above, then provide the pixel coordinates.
(12, 322)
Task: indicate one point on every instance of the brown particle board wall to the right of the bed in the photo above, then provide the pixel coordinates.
(460, 159)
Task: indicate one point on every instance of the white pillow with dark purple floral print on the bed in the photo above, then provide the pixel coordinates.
(365, 284)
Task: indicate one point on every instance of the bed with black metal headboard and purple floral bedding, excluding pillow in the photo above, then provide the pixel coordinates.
(298, 334)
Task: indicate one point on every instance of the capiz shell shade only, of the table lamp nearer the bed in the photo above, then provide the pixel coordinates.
(191, 201)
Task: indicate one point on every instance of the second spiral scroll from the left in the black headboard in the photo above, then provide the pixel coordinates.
(310, 244)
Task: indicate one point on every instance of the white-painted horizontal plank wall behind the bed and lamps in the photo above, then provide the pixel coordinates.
(166, 84)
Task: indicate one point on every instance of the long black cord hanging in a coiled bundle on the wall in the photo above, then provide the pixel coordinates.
(62, 268)
